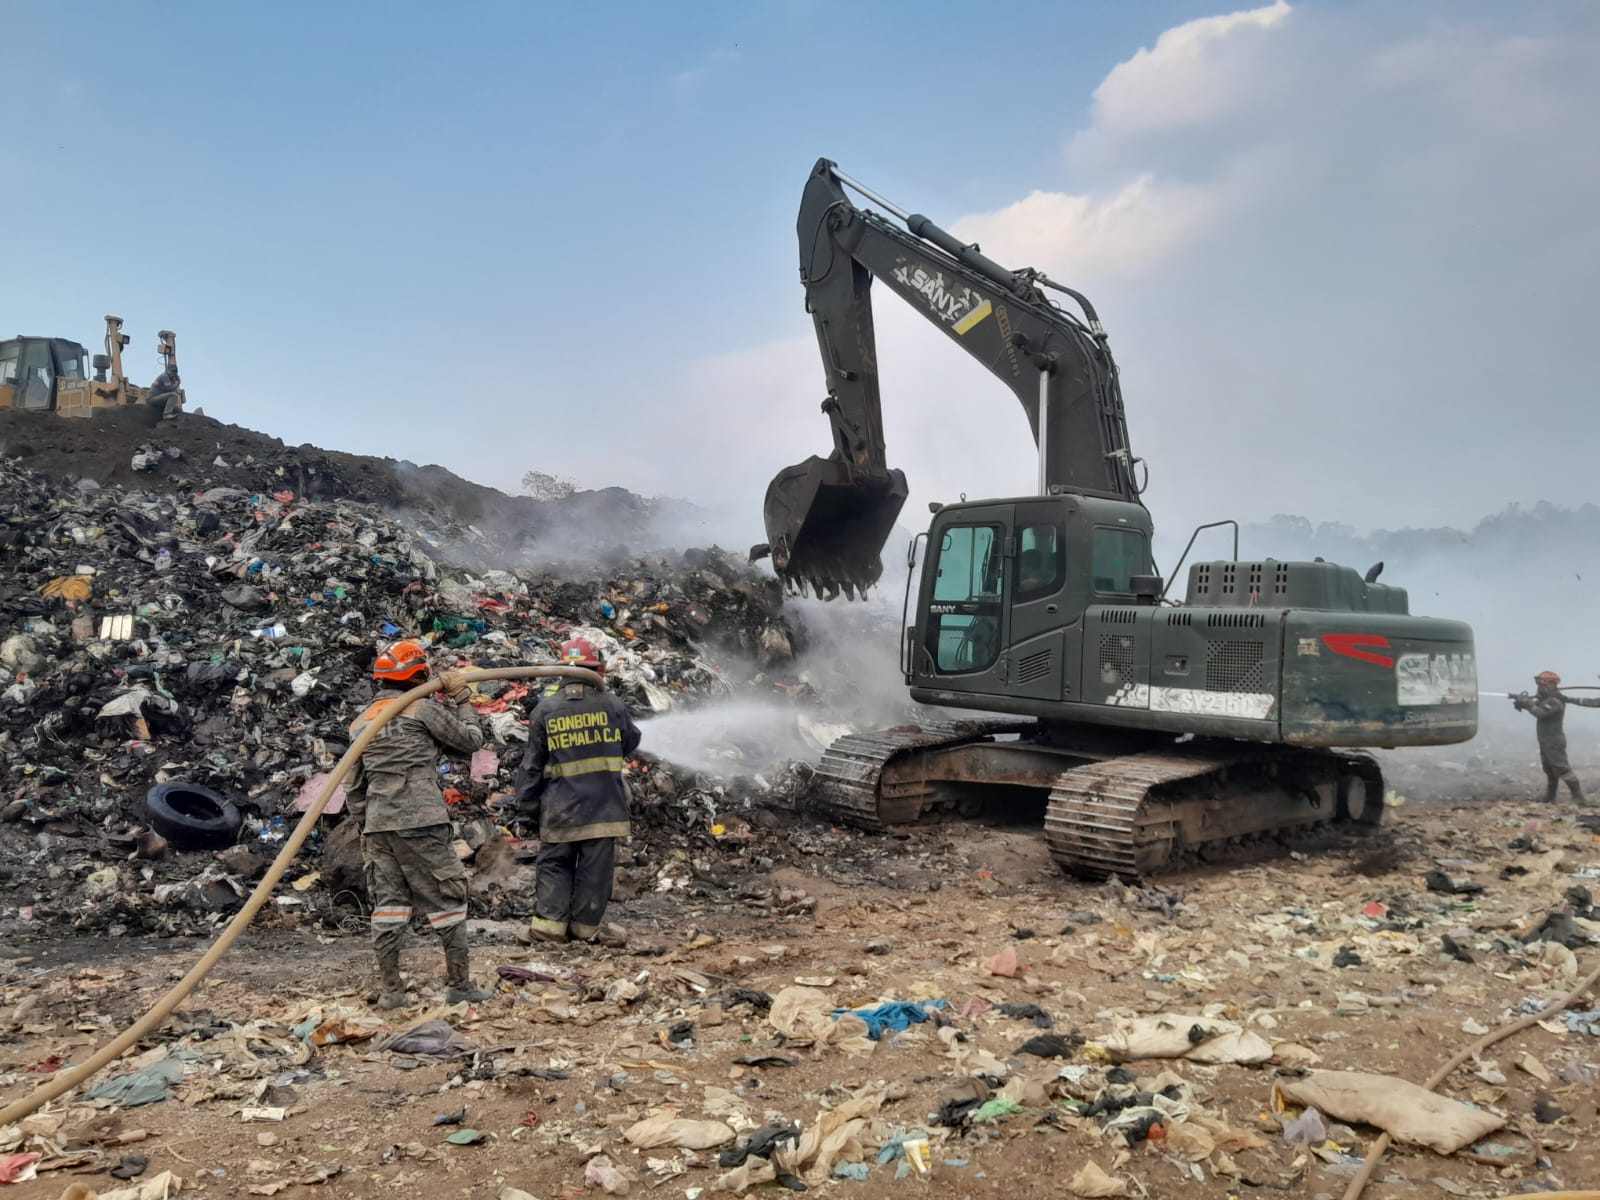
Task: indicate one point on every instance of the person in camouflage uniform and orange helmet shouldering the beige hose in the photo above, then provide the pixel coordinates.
(407, 846)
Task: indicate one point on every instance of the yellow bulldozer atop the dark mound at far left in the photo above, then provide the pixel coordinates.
(50, 374)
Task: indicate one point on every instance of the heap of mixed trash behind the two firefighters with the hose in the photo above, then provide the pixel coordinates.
(223, 639)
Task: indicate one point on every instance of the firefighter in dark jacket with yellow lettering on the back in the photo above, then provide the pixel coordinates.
(572, 788)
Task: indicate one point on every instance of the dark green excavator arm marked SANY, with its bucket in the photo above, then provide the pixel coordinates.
(828, 518)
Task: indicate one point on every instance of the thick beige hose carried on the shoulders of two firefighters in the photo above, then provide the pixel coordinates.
(158, 1015)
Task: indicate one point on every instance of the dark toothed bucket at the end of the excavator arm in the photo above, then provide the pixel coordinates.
(825, 529)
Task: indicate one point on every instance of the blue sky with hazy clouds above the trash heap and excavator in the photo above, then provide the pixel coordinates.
(521, 236)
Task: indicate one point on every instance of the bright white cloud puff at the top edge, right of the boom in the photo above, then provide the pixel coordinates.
(1194, 73)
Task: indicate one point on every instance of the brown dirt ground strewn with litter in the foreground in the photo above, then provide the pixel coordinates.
(903, 918)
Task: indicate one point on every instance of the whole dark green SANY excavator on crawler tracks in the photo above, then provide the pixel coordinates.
(1161, 735)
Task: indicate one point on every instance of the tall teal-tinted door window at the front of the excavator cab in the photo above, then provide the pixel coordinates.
(964, 628)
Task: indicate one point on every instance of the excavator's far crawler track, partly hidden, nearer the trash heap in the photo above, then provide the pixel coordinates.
(849, 783)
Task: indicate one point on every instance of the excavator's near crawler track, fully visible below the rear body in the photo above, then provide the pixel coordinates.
(1151, 814)
